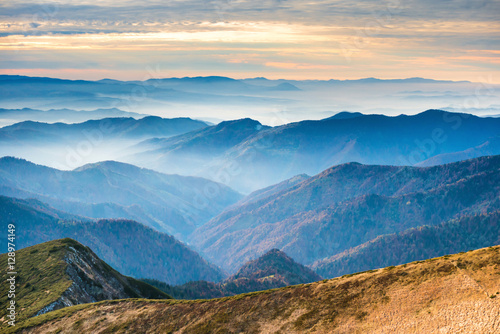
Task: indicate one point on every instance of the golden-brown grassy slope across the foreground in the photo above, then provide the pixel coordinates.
(456, 293)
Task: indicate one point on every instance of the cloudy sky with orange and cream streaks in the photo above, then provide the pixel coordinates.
(334, 39)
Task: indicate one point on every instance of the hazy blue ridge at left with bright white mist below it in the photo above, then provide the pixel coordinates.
(68, 146)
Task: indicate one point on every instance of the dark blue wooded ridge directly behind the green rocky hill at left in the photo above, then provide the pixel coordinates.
(129, 247)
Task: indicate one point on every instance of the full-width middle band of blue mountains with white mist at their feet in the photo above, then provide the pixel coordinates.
(246, 155)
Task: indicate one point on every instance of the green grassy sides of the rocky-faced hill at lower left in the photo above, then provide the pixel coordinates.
(42, 277)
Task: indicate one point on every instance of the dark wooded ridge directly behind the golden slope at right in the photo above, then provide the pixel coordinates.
(457, 235)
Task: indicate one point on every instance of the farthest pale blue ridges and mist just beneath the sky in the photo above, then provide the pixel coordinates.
(269, 101)
